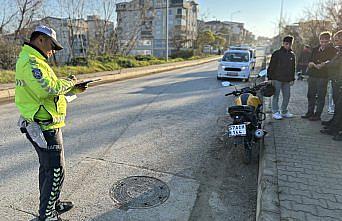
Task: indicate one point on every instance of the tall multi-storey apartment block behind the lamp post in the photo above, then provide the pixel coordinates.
(141, 26)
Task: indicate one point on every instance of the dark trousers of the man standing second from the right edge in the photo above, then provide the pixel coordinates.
(317, 90)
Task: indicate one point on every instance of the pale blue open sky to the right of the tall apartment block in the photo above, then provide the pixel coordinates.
(261, 17)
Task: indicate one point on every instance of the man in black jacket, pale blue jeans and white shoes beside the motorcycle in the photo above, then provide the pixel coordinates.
(281, 72)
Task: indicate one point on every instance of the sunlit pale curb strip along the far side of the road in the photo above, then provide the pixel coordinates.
(111, 76)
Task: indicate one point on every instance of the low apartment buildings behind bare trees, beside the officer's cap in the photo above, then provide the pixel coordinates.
(77, 36)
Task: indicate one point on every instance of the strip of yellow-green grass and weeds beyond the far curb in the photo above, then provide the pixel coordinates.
(98, 65)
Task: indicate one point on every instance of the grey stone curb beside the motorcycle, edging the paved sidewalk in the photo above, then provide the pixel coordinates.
(268, 208)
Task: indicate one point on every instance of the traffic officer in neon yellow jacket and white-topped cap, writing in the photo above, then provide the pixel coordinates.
(39, 96)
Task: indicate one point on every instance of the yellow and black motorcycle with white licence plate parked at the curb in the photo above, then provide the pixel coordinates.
(246, 128)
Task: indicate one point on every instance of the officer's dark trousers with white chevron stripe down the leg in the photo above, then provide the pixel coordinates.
(51, 171)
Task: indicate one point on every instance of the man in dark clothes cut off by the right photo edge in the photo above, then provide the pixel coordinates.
(334, 67)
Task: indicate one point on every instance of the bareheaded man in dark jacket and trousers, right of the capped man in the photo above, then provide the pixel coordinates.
(318, 78)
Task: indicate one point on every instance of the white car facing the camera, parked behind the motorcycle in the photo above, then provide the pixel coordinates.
(235, 64)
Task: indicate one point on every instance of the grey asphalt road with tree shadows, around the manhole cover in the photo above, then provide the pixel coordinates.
(167, 126)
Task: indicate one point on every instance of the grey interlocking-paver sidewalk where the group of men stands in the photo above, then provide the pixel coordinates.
(300, 169)
